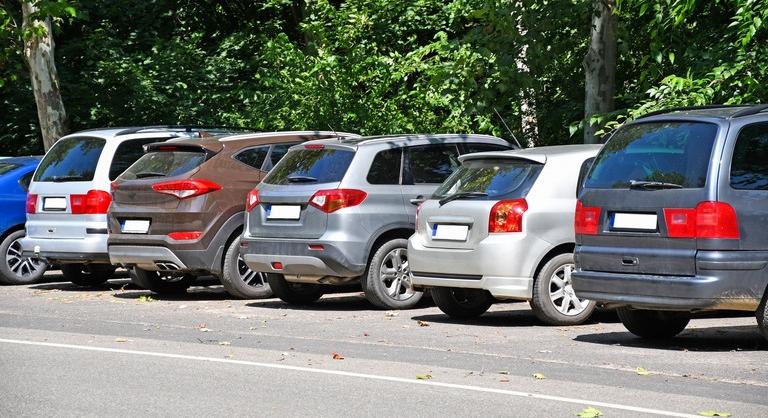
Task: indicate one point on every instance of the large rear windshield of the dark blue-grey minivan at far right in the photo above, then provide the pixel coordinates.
(668, 152)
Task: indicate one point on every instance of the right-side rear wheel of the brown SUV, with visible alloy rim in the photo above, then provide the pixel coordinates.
(239, 280)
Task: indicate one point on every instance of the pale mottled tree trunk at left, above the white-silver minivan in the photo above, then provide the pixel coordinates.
(38, 53)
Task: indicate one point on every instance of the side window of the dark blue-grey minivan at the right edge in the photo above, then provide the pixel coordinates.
(749, 167)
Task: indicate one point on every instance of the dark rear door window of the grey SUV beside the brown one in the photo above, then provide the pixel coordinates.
(432, 164)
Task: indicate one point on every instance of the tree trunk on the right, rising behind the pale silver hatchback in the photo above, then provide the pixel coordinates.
(600, 66)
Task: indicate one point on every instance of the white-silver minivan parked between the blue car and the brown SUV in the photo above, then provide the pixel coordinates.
(70, 193)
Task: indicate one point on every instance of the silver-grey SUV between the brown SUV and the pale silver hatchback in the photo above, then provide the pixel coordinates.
(339, 212)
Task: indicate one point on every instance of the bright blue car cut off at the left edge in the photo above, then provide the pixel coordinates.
(15, 175)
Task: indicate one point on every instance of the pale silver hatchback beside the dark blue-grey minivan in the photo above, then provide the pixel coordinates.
(501, 227)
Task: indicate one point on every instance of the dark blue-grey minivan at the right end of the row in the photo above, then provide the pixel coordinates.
(671, 219)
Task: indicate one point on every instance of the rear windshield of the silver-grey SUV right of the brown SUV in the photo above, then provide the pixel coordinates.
(302, 166)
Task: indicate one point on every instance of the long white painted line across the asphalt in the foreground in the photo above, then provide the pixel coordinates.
(583, 402)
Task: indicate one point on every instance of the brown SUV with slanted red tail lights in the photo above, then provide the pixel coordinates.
(178, 212)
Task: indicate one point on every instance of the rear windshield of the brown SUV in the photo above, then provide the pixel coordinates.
(164, 164)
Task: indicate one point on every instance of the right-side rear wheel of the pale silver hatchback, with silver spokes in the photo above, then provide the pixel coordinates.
(554, 301)
